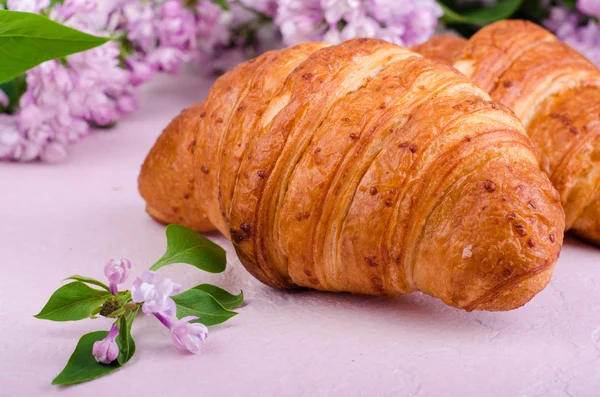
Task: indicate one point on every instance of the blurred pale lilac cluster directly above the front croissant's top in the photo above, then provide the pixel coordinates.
(402, 22)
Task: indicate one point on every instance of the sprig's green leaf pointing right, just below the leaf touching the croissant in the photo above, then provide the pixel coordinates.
(198, 303)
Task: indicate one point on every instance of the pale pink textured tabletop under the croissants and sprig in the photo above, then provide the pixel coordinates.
(67, 219)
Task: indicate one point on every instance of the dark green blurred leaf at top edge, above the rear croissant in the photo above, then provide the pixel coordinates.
(482, 16)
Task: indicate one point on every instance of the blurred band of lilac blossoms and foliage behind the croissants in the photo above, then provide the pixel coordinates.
(61, 101)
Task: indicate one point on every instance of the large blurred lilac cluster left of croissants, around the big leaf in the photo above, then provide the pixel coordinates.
(64, 99)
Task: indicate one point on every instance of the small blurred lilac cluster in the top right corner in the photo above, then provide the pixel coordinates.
(581, 32)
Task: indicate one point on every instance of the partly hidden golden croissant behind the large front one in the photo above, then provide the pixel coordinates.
(555, 91)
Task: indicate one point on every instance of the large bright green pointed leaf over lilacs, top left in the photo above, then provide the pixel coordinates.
(28, 39)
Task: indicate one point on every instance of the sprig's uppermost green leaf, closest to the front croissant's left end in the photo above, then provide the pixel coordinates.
(186, 246)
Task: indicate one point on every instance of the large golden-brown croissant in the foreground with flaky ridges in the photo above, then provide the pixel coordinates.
(366, 168)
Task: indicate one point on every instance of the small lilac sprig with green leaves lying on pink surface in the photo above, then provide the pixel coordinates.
(185, 313)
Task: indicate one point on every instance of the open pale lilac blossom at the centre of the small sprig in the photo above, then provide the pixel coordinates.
(155, 292)
